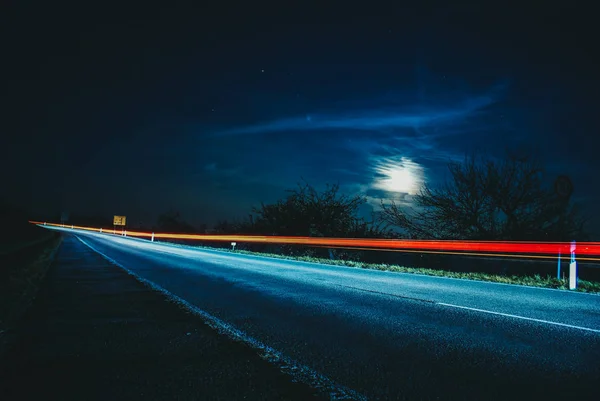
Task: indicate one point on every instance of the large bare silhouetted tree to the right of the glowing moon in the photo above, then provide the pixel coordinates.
(490, 200)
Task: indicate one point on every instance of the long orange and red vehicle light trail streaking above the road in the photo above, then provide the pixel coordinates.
(475, 248)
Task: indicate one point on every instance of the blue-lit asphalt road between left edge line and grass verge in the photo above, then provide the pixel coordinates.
(387, 335)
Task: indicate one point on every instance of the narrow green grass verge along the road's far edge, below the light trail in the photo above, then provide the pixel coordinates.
(533, 281)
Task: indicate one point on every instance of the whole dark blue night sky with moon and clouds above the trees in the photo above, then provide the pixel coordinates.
(210, 111)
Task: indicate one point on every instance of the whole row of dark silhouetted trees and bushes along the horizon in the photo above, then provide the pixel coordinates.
(484, 199)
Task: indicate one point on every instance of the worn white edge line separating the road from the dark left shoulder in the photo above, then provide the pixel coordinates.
(296, 370)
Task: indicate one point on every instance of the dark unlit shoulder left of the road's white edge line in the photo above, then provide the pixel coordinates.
(96, 333)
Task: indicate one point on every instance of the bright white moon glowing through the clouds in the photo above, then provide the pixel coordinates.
(404, 176)
